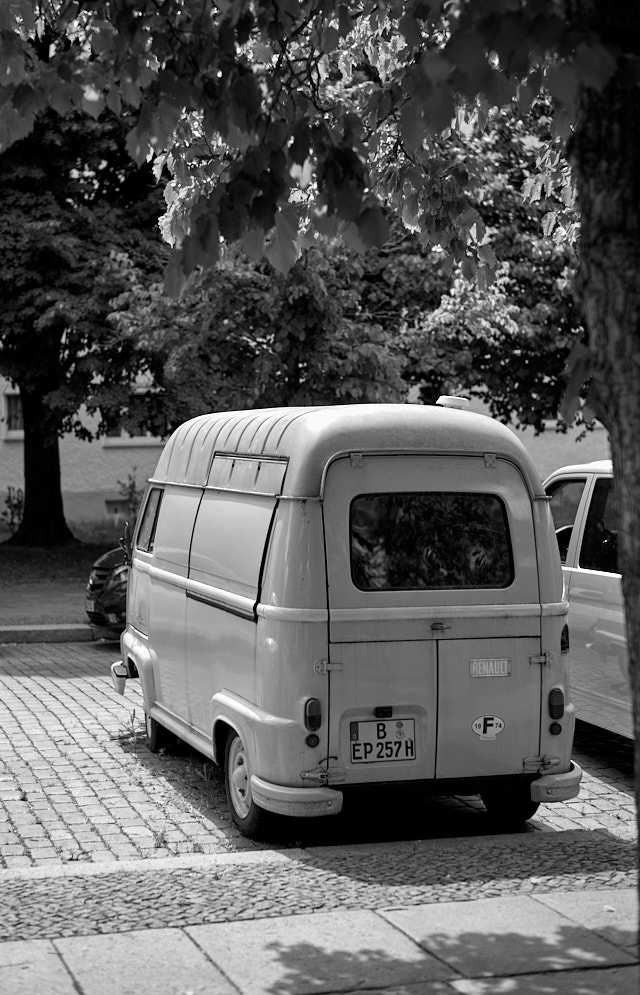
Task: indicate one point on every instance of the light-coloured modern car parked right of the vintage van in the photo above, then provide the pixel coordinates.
(586, 521)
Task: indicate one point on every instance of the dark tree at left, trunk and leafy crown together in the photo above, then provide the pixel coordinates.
(75, 212)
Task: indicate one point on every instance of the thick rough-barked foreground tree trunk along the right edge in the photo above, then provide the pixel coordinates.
(606, 159)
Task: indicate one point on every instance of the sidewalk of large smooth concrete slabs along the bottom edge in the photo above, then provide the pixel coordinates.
(480, 947)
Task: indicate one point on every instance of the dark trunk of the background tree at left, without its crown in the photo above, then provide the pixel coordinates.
(43, 521)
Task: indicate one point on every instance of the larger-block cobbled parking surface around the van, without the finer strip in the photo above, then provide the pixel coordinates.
(78, 783)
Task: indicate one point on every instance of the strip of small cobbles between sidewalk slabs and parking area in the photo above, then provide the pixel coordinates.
(188, 891)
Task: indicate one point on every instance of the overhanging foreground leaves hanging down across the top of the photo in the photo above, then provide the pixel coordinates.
(281, 121)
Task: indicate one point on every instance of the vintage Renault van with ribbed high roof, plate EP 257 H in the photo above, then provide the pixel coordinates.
(330, 597)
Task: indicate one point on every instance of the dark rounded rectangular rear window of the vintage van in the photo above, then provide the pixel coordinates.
(428, 541)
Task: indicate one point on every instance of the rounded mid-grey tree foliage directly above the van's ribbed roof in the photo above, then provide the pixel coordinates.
(245, 336)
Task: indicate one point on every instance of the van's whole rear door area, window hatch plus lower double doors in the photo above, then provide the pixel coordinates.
(434, 618)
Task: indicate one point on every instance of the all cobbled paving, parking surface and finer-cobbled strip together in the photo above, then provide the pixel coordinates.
(87, 815)
